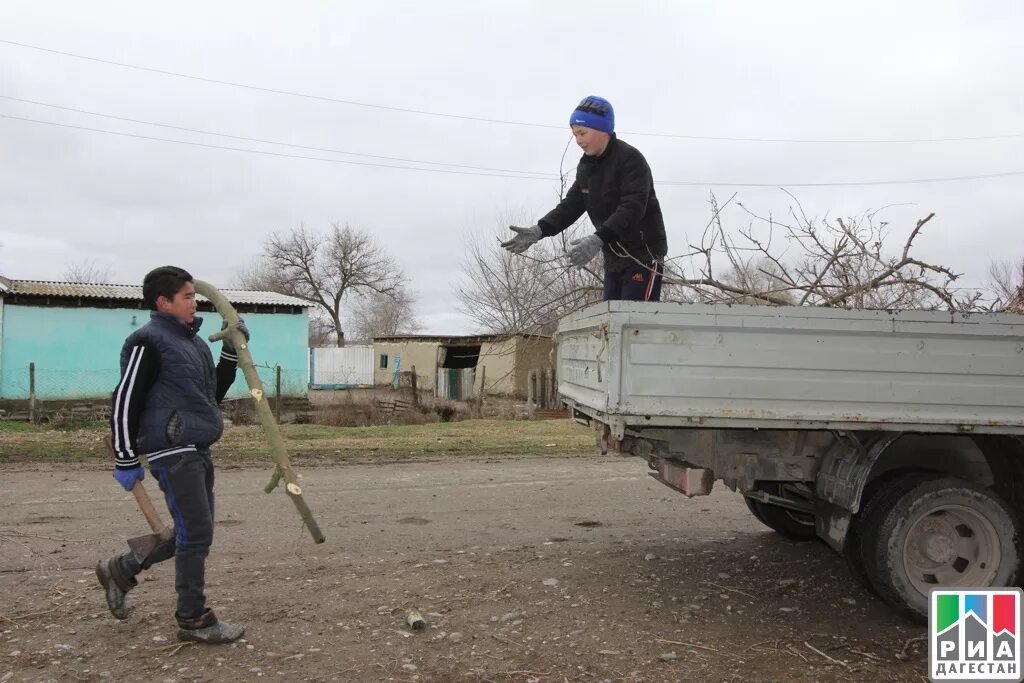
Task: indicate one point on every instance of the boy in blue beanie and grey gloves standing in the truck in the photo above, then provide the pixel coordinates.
(615, 187)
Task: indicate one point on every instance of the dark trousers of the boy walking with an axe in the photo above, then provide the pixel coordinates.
(188, 485)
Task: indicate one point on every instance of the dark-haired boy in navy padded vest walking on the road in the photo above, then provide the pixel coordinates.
(167, 406)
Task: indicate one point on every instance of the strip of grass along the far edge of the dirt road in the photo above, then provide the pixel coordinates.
(470, 438)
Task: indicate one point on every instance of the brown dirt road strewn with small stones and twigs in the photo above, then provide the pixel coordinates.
(525, 569)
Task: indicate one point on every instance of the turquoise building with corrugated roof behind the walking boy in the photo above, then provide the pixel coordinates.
(73, 333)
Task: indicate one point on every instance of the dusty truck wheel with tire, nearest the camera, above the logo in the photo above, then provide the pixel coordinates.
(941, 533)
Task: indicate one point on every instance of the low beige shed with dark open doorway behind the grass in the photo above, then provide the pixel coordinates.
(455, 367)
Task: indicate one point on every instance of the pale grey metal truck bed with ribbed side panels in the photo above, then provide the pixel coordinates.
(666, 365)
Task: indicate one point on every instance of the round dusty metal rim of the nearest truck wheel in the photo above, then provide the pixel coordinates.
(952, 546)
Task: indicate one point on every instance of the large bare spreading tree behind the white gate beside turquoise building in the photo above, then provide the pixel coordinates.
(326, 270)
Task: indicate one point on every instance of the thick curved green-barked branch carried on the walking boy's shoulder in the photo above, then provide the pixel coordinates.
(278, 451)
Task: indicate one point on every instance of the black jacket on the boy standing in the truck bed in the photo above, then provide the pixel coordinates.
(617, 191)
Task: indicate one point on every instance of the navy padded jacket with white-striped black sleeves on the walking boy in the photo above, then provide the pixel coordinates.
(167, 402)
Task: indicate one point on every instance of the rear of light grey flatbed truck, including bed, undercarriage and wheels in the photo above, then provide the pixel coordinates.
(898, 438)
